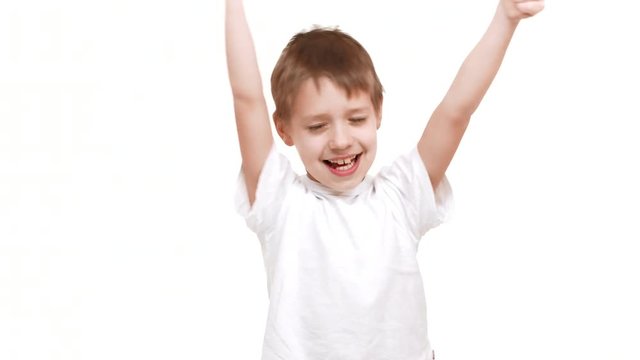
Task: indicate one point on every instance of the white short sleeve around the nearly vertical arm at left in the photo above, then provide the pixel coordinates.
(275, 179)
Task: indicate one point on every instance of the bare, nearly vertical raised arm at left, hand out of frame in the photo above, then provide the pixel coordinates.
(252, 117)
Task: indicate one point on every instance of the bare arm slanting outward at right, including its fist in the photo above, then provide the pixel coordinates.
(449, 121)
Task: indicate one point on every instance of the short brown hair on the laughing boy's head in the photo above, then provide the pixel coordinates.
(323, 52)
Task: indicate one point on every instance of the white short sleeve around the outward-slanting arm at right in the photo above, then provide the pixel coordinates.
(410, 185)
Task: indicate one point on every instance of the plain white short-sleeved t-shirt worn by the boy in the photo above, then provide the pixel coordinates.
(342, 274)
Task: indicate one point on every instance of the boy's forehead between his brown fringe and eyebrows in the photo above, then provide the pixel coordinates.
(323, 96)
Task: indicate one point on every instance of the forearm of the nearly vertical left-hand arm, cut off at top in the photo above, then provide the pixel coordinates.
(242, 64)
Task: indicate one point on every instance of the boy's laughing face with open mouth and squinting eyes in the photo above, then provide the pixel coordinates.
(335, 135)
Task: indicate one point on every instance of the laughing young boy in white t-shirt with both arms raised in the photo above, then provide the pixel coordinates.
(339, 246)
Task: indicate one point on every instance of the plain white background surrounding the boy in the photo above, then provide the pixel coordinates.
(118, 162)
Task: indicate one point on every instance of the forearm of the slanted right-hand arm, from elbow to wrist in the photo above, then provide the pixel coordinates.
(479, 68)
